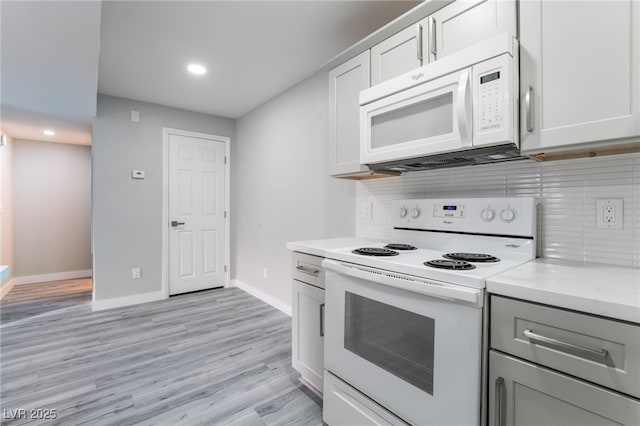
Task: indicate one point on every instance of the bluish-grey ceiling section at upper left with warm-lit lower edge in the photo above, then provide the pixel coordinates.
(49, 68)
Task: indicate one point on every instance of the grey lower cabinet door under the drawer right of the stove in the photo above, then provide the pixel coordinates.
(523, 394)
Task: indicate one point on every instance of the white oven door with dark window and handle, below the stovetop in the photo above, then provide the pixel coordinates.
(411, 345)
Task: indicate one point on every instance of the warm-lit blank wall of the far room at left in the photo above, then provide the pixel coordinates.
(52, 208)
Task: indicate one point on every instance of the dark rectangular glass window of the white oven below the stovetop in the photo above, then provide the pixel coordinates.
(398, 341)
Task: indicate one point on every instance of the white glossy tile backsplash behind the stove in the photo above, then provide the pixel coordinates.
(567, 191)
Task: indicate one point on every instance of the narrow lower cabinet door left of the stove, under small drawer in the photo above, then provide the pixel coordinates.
(307, 324)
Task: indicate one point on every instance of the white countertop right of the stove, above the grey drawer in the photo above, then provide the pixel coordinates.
(609, 291)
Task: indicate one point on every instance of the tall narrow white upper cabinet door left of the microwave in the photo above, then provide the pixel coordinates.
(345, 84)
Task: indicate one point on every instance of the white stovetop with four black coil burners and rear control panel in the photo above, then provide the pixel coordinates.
(499, 233)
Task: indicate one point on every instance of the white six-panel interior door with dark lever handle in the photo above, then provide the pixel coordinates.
(196, 213)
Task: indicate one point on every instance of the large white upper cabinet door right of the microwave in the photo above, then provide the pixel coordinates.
(579, 73)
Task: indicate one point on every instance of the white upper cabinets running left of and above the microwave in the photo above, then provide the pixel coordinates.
(456, 26)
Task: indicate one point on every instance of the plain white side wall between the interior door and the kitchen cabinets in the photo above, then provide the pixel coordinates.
(283, 189)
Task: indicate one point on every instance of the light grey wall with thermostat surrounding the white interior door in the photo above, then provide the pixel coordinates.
(127, 213)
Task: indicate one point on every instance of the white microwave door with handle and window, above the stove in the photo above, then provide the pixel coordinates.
(431, 118)
